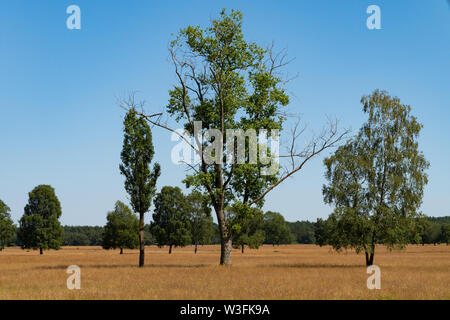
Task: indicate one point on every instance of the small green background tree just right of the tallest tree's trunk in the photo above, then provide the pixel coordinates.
(247, 225)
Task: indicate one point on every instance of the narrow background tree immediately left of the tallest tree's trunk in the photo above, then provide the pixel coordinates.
(200, 219)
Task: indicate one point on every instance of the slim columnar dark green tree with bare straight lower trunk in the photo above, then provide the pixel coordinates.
(140, 181)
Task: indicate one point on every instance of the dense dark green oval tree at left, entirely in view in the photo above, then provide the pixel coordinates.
(39, 227)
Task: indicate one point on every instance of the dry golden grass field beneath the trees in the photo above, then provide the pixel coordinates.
(284, 272)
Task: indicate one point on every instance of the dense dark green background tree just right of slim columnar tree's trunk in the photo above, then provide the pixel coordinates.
(170, 218)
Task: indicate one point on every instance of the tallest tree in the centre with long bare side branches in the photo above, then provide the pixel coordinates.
(225, 82)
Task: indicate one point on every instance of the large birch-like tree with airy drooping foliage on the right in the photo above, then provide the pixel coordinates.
(376, 180)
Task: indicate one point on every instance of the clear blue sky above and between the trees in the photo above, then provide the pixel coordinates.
(60, 123)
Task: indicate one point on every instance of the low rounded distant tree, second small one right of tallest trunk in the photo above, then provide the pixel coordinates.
(277, 232)
